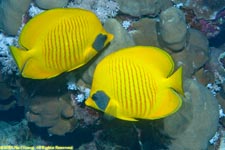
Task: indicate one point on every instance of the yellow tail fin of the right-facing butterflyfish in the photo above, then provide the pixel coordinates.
(19, 55)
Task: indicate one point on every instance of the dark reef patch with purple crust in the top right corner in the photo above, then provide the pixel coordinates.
(201, 17)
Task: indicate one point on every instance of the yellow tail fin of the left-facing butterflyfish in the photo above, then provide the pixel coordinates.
(176, 82)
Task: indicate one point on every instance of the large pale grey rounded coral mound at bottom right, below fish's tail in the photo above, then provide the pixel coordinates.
(197, 120)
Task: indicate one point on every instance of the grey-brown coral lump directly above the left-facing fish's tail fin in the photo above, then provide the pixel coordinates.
(194, 55)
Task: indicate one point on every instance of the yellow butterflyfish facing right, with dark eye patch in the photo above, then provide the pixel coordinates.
(57, 41)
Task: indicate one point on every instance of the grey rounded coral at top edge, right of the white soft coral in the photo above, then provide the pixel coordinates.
(143, 7)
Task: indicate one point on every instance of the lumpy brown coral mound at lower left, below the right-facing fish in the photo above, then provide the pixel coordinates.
(59, 114)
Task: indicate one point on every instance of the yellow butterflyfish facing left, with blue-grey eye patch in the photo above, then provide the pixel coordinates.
(137, 82)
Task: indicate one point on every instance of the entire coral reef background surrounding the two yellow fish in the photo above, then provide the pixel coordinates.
(57, 105)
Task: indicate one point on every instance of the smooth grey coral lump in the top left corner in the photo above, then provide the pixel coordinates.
(11, 12)
